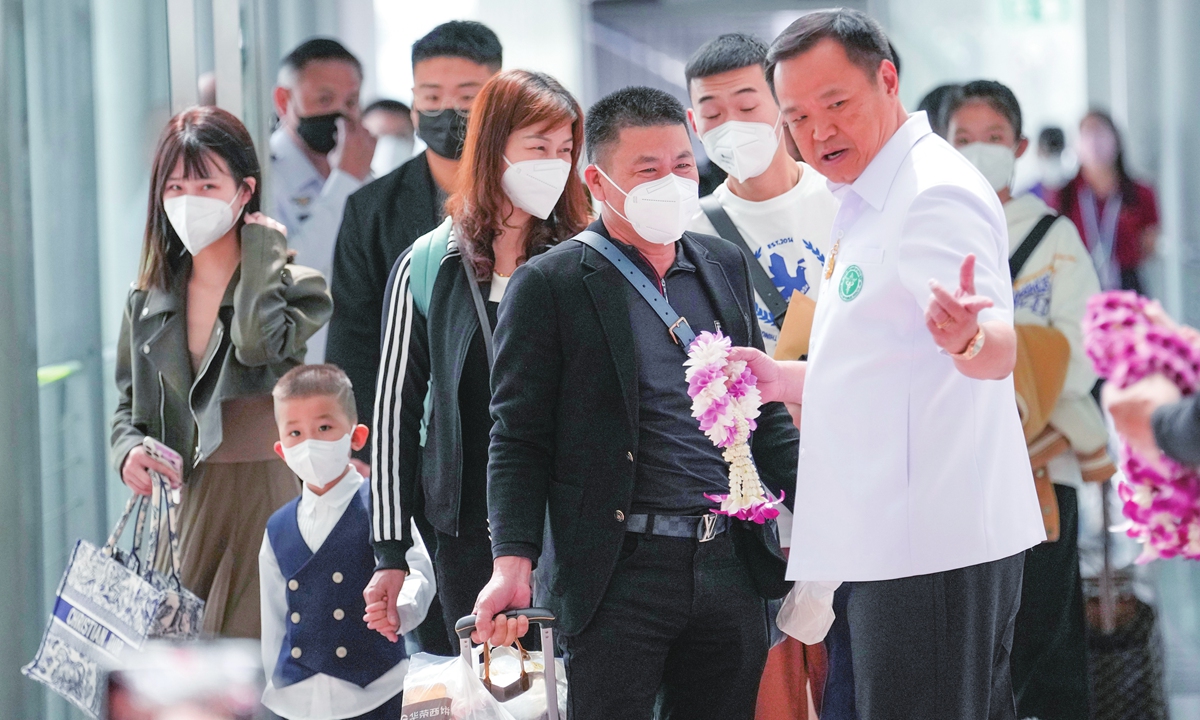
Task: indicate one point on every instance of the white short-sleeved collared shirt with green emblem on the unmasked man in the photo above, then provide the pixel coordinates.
(908, 467)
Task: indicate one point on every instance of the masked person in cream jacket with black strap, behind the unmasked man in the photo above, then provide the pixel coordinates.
(1053, 280)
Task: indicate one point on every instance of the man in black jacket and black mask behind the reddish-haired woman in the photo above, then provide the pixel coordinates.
(451, 65)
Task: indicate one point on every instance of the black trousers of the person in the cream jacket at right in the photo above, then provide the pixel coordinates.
(1051, 647)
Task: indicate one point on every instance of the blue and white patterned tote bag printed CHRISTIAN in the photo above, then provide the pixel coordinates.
(104, 611)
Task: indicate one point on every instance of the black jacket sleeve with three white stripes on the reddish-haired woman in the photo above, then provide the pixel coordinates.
(399, 410)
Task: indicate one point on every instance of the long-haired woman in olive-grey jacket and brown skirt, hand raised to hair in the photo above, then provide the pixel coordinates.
(218, 315)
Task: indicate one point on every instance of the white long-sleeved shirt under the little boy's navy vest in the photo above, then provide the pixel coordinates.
(326, 698)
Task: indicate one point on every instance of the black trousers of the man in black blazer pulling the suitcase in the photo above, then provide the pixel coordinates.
(680, 626)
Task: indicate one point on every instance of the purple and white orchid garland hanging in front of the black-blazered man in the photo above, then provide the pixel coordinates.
(725, 399)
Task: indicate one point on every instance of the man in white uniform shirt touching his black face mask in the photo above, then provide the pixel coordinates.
(320, 154)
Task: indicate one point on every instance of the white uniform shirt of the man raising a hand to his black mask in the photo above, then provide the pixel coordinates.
(311, 208)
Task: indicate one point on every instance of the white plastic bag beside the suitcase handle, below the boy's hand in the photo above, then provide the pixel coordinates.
(447, 689)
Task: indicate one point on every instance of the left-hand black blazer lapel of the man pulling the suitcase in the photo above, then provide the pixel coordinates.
(611, 299)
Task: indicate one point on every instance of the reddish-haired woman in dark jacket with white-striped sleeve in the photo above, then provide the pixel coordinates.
(519, 194)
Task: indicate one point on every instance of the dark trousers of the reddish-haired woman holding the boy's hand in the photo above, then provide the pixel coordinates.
(464, 566)
